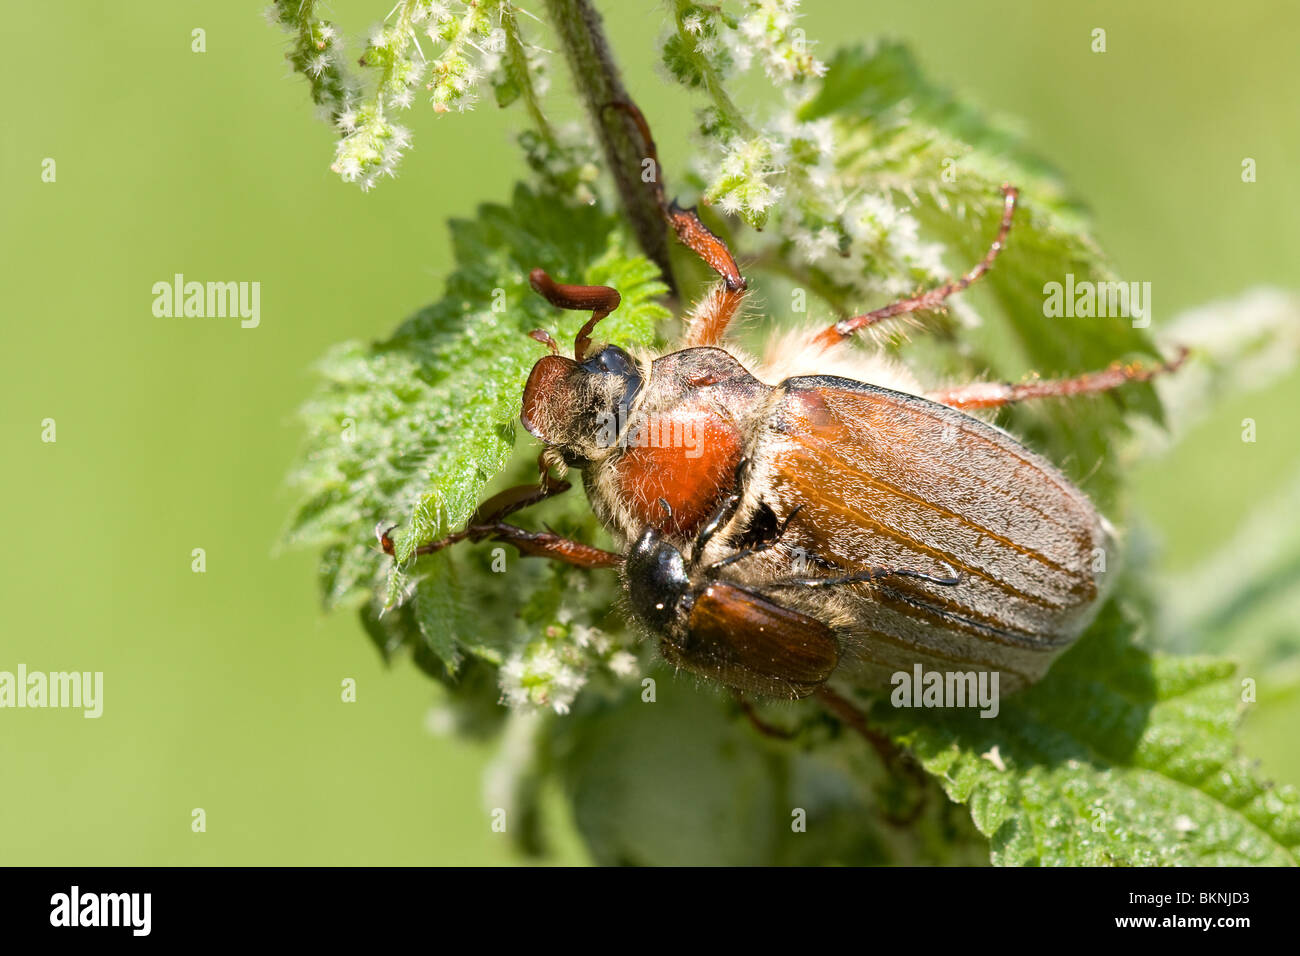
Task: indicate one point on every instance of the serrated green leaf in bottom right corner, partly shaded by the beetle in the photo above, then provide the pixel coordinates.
(1117, 758)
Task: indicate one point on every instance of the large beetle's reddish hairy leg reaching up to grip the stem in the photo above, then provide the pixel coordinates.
(714, 313)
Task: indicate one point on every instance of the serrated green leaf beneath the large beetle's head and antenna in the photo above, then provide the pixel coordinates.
(409, 431)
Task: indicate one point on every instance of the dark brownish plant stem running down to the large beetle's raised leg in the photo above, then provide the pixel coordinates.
(596, 77)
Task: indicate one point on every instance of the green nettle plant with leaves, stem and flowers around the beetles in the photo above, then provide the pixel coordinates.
(866, 183)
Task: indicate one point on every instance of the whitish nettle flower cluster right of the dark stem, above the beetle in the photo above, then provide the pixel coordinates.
(788, 172)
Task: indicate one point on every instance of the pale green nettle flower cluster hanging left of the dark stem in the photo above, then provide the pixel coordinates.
(471, 45)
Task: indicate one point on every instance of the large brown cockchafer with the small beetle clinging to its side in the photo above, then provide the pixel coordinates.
(816, 525)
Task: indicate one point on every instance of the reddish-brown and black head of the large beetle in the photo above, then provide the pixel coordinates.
(580, 408)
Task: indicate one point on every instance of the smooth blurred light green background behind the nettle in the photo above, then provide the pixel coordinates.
(223, 689)
